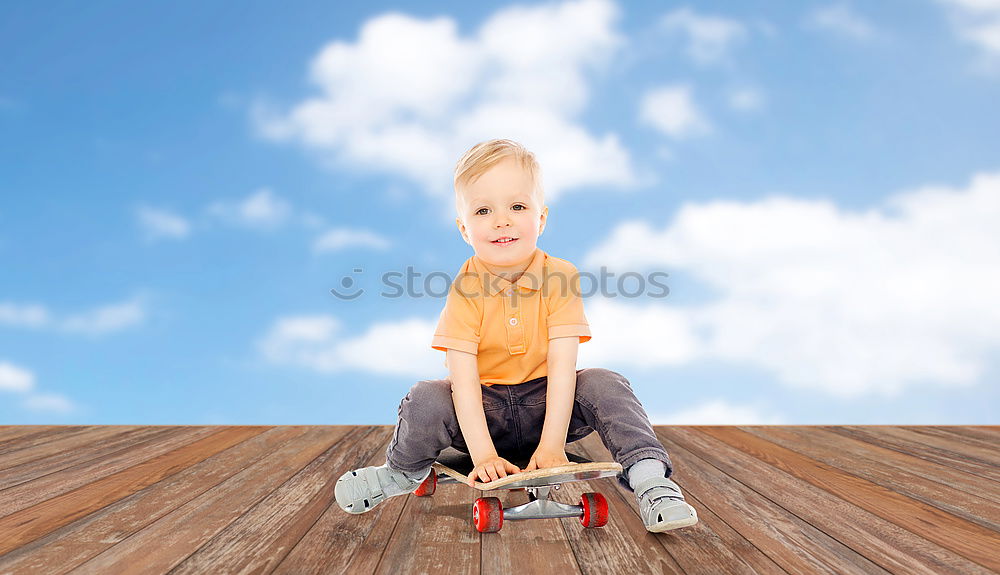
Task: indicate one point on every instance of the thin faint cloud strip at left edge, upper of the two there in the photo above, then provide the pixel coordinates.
(98, 321)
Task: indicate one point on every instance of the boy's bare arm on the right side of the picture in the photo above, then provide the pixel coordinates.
(559, 397)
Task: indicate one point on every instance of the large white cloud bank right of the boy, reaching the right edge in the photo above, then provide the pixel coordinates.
(848, 303)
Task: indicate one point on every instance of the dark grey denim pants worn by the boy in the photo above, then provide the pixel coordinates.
(604, 403)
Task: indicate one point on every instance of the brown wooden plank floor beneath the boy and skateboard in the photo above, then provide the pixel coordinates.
(114, 499)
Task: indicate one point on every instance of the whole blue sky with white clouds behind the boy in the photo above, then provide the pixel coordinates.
(181, 185)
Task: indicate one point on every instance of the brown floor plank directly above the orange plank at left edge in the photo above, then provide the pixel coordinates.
(47, 487)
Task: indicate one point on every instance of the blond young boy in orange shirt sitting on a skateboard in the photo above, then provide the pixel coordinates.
(510, 328)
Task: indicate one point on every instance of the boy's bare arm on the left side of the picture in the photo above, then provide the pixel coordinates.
(467, 394)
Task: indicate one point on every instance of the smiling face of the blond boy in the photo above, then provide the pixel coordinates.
(502, 204)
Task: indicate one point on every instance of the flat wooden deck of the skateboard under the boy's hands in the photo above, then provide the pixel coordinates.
(457, 465)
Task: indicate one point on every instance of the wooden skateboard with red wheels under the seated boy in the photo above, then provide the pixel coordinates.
(488, 513)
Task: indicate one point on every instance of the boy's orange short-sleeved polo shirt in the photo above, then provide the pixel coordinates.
(508, 325)
